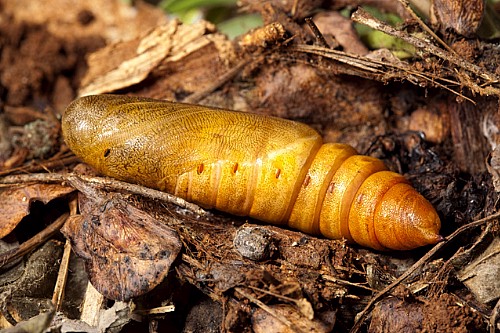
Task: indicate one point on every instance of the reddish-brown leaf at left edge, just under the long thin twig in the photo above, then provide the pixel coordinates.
(15, 202)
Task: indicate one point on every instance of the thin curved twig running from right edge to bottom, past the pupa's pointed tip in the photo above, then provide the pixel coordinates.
(363, 314)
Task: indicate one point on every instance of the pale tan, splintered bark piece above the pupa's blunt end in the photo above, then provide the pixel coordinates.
(160, 54)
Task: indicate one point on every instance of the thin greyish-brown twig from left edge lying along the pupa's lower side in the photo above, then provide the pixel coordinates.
(103, 183)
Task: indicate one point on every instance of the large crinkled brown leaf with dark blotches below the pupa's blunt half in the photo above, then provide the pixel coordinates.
(126, 251)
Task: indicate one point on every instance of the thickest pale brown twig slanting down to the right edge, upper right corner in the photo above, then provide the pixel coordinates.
(363, 17)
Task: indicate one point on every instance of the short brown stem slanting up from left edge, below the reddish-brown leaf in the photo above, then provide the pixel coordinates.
(11, 256)
